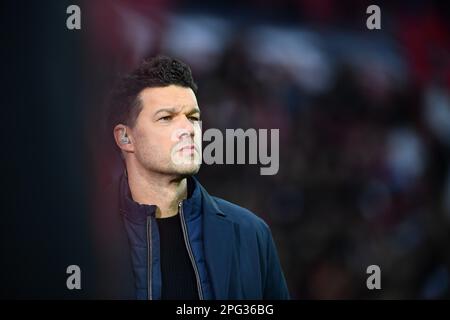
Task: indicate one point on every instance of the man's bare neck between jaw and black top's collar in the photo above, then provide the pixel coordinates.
(158, 189)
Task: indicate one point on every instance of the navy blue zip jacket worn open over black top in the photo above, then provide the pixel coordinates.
(234, 252)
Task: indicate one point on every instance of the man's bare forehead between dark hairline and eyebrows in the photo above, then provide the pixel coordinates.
(170, 96)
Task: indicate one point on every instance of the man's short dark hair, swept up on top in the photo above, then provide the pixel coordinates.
(159, 71)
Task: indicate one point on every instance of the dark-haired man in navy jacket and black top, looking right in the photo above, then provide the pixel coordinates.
(165, 237)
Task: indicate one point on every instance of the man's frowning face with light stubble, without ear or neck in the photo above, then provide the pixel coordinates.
(167, 133)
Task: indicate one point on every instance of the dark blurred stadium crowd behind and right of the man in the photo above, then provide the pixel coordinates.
(364, 119)
